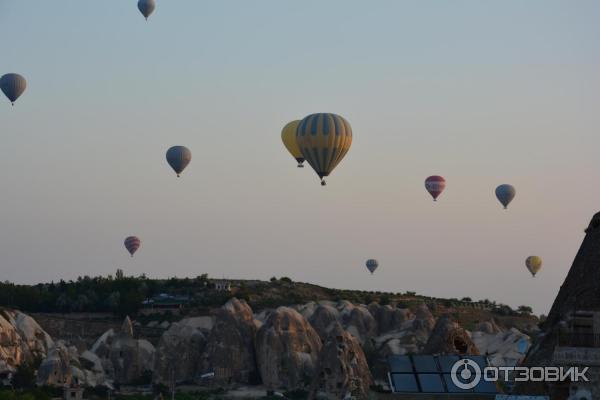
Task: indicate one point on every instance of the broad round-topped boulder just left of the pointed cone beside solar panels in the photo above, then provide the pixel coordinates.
(287, 348)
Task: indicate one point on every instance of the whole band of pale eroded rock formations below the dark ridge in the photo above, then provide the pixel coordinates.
(325, 348)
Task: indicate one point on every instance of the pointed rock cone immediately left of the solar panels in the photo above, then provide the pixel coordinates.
(342, 369)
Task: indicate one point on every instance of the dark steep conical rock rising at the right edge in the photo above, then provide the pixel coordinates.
(563, 341)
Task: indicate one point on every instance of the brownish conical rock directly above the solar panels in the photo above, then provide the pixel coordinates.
(448, 337)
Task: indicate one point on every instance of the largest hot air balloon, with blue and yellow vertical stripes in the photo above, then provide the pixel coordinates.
(324, 139)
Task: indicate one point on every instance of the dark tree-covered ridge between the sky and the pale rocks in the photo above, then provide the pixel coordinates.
(128, 295)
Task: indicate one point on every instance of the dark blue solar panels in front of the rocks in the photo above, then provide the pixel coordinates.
(431, 374)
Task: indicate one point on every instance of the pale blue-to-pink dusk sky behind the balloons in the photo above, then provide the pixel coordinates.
(482, 93)
